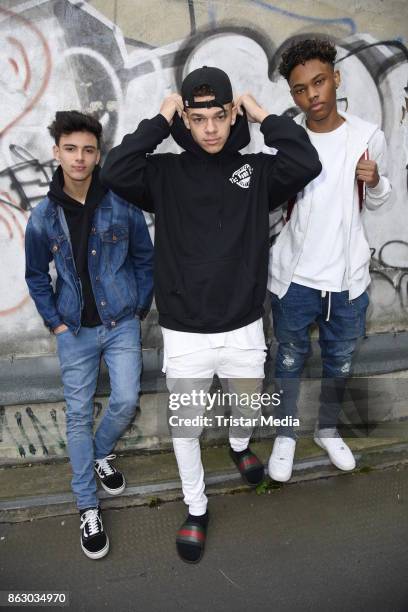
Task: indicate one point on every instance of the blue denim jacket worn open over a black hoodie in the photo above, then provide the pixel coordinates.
(120, 262)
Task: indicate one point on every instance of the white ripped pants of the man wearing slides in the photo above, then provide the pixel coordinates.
(243, 370)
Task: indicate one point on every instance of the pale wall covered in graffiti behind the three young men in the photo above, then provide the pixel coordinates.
(119, 58)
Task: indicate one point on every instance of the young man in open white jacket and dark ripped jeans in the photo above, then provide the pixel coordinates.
(319, 264)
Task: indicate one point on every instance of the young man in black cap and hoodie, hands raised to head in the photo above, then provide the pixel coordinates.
(211, 255)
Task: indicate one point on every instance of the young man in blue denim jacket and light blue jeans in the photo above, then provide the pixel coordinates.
(103, 258)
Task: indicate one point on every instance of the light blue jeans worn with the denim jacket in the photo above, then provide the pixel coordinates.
(80, 360)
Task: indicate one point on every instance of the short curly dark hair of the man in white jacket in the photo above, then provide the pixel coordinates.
(301, 51)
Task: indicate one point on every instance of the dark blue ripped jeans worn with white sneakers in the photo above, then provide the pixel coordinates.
(293, 315)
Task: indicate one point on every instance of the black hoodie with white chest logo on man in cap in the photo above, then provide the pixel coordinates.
(211, 225)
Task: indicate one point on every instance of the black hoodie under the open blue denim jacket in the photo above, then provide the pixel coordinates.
(79, 220)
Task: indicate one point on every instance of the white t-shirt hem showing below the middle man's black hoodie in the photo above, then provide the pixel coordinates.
(178, 343)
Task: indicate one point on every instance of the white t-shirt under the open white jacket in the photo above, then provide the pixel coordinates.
(322, 263)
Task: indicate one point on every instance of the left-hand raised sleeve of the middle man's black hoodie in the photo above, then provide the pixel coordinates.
(128, 169)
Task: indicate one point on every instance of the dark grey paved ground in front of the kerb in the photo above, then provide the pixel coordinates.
(333, 544)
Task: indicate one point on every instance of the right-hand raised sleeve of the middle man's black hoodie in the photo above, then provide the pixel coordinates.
(296, 162)
